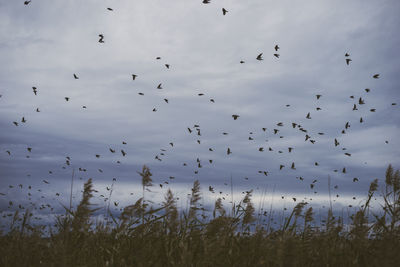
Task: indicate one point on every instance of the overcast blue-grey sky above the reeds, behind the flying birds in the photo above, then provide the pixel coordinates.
(43, 44)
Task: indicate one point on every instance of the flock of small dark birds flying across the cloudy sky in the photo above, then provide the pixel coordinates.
(309, 136)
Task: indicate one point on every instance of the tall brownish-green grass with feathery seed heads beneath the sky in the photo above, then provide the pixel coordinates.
(144, 236)
